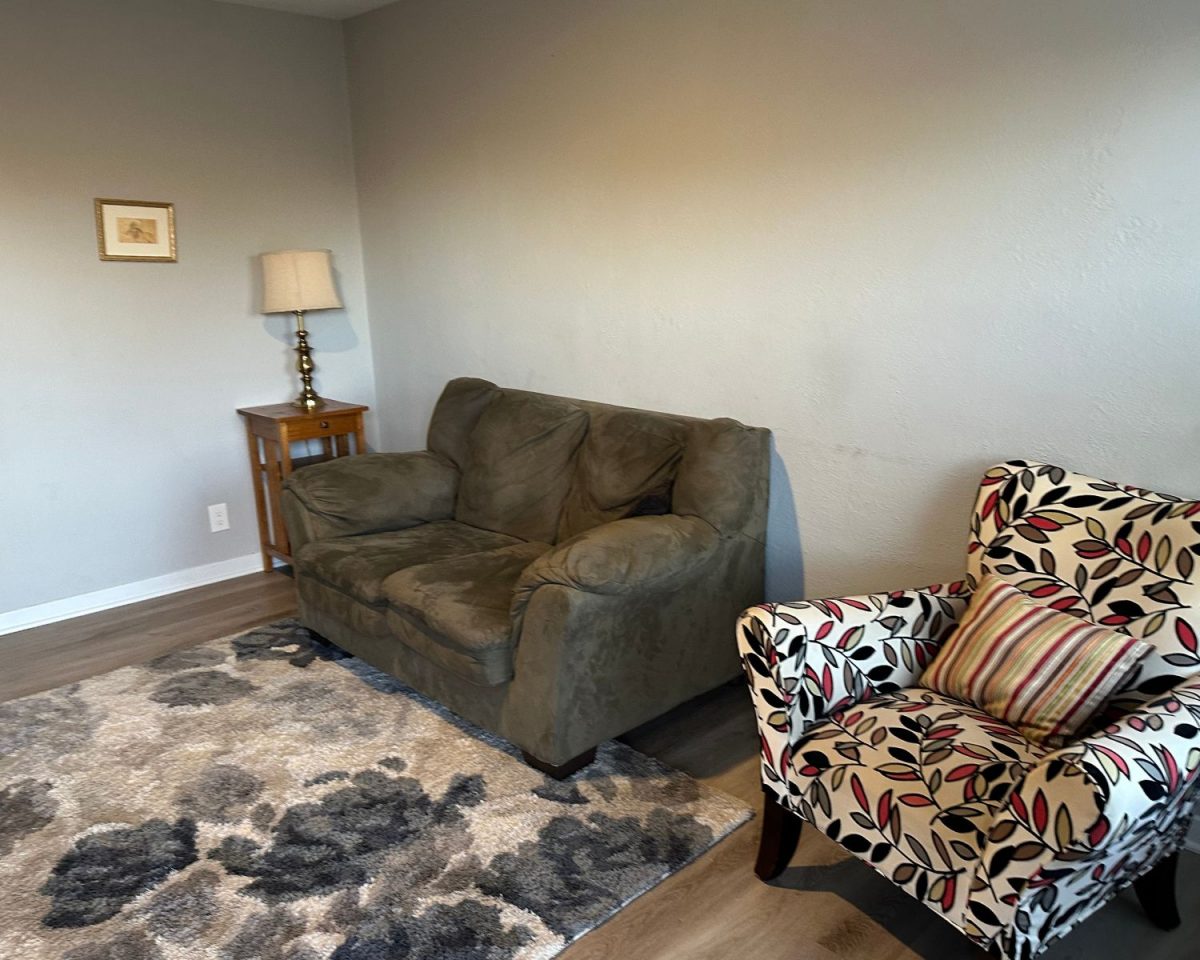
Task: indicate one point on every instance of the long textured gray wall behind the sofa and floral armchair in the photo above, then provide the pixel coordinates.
(913, 238)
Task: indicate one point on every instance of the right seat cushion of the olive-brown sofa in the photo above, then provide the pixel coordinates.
(461, 608)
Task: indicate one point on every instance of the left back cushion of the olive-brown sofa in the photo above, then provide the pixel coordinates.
(519, 465)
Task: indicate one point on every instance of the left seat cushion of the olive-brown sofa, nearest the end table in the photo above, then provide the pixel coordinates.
(358, 566)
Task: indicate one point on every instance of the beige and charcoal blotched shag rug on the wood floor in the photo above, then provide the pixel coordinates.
(271, 797)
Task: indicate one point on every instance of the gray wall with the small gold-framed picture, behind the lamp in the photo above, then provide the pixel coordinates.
(122, 380)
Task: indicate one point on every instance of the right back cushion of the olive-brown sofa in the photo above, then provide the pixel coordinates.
(626, 467)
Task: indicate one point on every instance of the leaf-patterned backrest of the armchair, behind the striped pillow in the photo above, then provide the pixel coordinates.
(1115, 555)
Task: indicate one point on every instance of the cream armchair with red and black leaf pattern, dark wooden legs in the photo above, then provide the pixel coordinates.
(1011, 842)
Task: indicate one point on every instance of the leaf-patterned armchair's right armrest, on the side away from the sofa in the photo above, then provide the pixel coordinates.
(1090, 818)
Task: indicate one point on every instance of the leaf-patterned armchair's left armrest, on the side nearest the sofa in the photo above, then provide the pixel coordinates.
(811, 659)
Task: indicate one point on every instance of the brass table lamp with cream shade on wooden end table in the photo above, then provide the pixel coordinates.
(296, 281)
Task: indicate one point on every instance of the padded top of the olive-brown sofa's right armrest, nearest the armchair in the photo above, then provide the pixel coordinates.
(623, 557)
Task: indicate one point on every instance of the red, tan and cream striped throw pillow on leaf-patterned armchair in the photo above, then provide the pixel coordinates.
(1043, 671)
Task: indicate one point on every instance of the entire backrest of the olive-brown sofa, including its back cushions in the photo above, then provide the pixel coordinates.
(548, 469)
